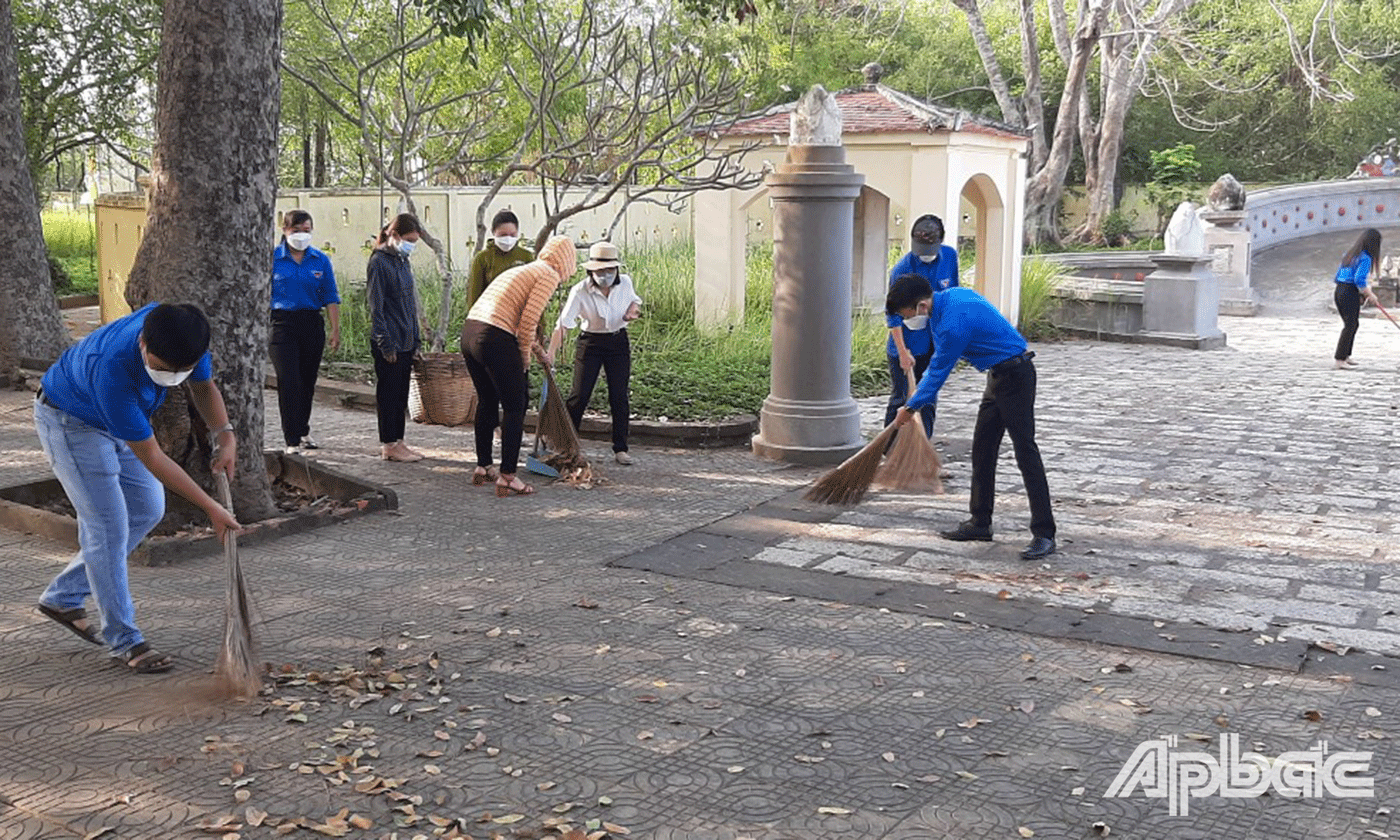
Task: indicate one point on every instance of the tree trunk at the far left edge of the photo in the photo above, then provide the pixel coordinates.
(33, 327)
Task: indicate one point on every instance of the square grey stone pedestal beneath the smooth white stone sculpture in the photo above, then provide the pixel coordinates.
(1181, 303)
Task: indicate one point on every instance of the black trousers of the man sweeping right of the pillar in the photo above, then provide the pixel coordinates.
(1009, 407)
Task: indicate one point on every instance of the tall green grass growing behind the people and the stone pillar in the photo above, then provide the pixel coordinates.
(680, 372)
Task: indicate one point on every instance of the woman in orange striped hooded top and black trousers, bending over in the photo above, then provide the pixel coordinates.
(498, 341)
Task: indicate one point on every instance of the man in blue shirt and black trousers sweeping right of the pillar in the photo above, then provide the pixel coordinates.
(968, 327)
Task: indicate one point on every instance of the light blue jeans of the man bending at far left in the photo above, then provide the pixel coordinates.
(118, 503)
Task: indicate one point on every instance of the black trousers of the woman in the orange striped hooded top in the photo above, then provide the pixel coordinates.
(493, 358)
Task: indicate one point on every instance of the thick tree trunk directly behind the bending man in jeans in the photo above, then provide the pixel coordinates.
(209, 226)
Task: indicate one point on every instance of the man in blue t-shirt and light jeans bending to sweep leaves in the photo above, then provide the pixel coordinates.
(93, 416)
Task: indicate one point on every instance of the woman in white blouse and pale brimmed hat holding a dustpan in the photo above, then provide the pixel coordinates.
(603, 303)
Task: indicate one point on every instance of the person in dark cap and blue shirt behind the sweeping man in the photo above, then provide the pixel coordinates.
(911, 344)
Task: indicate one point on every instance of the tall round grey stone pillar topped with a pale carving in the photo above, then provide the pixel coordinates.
(810, 416)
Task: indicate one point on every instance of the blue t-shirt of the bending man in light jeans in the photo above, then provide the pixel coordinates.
(103, 380)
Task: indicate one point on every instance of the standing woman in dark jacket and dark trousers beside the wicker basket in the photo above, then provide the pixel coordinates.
(394, 316)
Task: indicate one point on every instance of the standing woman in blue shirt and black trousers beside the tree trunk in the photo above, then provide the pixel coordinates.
(303, 283)
